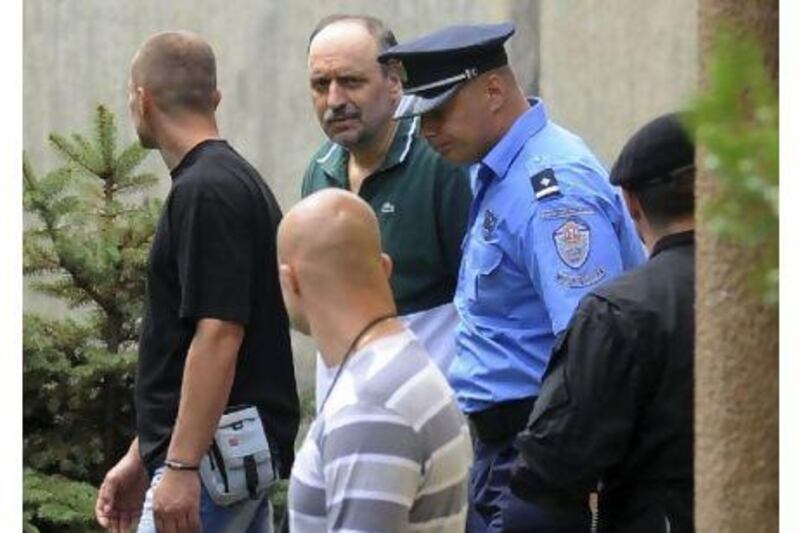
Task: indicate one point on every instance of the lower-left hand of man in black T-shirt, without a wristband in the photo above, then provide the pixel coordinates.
(121, 496)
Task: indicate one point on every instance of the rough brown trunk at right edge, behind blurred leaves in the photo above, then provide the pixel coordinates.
(736, 373)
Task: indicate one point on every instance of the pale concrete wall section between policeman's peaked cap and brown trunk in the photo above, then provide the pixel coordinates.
(608, 67)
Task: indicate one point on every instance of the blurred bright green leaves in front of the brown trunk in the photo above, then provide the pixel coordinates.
(736, 121)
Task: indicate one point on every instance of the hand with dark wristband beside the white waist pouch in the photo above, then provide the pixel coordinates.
(176, 502)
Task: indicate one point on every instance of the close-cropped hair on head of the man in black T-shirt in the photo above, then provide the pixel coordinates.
(179, 70)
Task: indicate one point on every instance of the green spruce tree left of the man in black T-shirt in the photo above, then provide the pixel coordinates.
(87, 246)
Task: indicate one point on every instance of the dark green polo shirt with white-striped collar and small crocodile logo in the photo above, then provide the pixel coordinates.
(421, 202)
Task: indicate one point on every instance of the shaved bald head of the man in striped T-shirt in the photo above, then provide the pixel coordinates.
(329, 250)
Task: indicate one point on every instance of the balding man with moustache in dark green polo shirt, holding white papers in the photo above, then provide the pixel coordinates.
(421, 201)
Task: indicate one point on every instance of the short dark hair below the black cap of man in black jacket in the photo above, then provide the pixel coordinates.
(667, 200)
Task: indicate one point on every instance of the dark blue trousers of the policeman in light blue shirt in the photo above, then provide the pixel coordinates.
(492, 506)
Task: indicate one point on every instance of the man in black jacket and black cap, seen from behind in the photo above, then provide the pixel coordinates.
(616, 405)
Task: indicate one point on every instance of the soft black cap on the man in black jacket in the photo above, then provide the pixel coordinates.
(661, 150)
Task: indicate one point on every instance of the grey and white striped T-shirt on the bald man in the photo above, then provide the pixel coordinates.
(390, 451)
